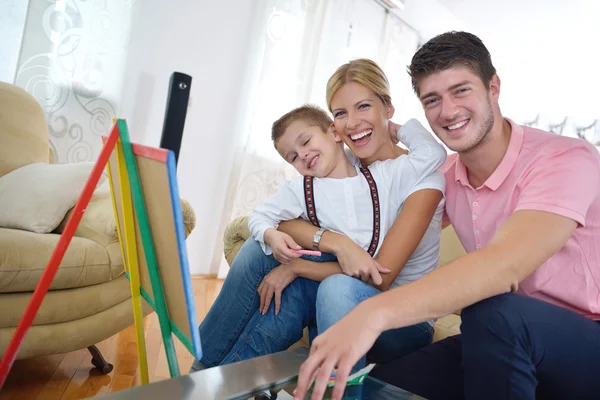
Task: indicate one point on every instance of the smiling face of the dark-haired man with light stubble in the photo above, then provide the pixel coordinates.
(458, 107)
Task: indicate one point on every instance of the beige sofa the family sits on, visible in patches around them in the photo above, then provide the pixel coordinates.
(237, 233)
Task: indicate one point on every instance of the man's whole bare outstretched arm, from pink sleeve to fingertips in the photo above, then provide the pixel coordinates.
(523, 243)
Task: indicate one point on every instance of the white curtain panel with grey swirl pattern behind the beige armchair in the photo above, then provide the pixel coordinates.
(72, 60)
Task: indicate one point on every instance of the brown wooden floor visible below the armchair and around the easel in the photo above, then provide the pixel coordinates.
(72, 376)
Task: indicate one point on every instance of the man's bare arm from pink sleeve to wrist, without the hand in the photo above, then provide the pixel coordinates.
(523, 243)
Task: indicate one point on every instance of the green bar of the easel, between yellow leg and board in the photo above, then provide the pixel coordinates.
(149, 252)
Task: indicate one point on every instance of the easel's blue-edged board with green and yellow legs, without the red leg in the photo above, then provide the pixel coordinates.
(151, 173)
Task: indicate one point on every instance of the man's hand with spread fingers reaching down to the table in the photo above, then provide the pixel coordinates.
(336, 348)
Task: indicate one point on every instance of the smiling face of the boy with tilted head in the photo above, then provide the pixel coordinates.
(310, 150)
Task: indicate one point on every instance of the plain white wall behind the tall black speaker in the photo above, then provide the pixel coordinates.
(208, 40)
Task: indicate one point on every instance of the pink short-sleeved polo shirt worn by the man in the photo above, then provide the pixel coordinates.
(546, 172)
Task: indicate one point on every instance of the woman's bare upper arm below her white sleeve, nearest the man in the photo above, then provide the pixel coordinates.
(406, 233)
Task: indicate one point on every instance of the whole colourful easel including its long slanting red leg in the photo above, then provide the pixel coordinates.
(185, 329)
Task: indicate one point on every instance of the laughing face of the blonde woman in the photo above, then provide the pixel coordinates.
(361, 119)
